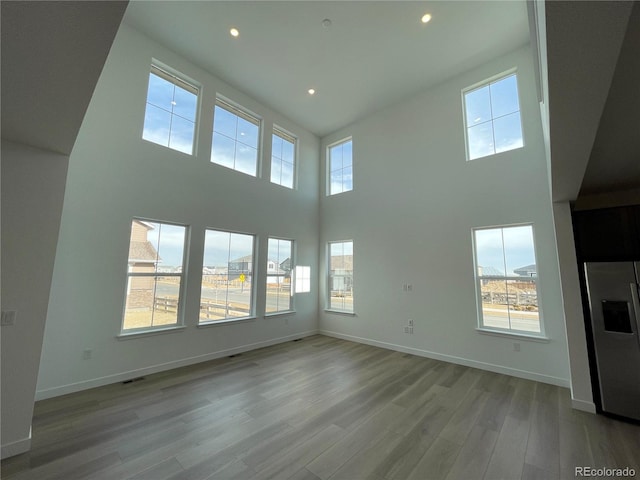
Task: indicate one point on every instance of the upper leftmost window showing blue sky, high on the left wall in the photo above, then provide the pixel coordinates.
(170, 116)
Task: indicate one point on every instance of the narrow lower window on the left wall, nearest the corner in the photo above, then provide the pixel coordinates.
(279, 261)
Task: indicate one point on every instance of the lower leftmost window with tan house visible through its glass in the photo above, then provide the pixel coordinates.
(154, 276)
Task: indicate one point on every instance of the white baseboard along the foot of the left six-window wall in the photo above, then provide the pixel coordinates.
(121, 377)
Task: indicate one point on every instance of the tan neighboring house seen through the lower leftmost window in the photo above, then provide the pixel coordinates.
(143, 258)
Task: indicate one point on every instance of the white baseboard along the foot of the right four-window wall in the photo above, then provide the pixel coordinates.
(561, 382)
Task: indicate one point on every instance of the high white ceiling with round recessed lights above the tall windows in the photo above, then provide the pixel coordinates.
(366, 55)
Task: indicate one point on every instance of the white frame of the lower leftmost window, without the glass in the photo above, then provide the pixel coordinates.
(180, 305)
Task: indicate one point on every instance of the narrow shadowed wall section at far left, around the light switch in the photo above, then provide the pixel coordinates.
(33, 183)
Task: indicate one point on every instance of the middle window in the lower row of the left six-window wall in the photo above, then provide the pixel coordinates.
(227, 276)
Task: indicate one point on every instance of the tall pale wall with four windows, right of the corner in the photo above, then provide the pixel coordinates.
(410, 215)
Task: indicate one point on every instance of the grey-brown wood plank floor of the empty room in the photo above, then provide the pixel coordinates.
(321, 408)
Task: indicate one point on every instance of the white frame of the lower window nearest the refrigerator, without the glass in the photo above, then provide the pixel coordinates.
(508, 332)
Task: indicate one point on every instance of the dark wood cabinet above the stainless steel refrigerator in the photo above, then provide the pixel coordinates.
(608, 234)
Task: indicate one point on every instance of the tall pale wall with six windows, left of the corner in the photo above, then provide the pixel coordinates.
(113, 176)
